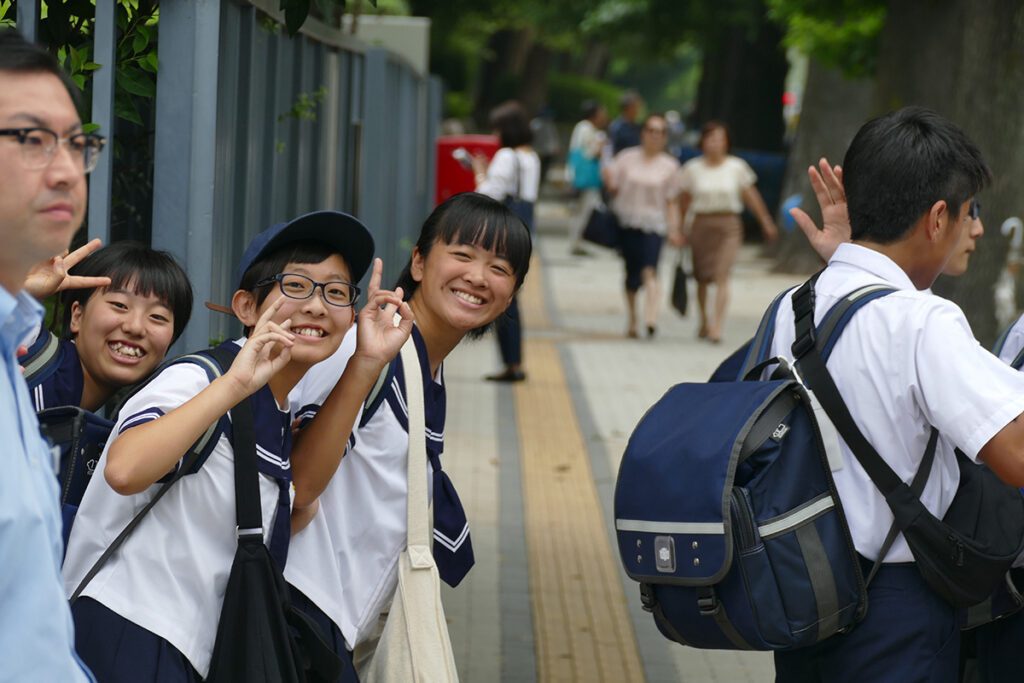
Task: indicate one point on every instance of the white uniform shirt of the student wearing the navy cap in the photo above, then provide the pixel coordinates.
(169, 577)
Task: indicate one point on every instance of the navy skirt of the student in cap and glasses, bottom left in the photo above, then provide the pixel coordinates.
(121, 652)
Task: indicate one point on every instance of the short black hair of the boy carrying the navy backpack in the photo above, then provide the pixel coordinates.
(901, 164)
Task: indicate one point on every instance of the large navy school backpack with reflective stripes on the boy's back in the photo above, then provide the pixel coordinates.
(727, 513)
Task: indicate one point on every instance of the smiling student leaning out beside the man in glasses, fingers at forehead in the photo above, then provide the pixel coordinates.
(124, 306)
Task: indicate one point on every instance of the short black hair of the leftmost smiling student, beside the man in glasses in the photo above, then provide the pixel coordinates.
(134, 266)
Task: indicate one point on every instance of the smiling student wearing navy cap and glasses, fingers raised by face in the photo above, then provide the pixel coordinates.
(152, 612)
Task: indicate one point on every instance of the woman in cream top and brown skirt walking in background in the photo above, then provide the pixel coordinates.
(716, 187)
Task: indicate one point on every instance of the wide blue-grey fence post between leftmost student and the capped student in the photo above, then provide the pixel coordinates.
(186, 147)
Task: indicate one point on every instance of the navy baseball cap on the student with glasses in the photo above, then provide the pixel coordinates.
(345, 234)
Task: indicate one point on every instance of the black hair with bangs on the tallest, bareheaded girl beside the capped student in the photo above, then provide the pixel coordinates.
(472, 219)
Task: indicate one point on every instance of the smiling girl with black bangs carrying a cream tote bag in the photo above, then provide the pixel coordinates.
(471, 260)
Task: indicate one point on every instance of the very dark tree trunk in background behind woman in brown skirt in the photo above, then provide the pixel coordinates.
(743, 82)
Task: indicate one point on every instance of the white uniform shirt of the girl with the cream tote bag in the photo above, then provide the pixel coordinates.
(347, 561)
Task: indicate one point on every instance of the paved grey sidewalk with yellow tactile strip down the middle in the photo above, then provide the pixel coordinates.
(536, 462)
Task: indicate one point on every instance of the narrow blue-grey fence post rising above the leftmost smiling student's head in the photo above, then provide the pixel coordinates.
(101, 180)
